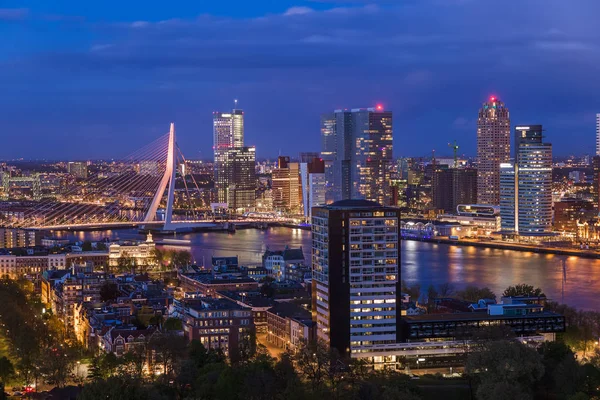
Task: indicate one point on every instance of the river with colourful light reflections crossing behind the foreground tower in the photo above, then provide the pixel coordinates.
(571, 280)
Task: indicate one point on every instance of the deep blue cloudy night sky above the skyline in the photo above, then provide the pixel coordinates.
(91, 79)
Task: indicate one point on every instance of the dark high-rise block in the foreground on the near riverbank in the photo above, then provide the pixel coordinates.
(355, 287)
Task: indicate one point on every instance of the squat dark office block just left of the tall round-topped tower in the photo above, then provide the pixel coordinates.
(452, 187)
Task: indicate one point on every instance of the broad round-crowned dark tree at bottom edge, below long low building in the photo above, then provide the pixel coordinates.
(506, 369)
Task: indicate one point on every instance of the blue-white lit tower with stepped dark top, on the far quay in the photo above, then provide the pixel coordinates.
(526, 191)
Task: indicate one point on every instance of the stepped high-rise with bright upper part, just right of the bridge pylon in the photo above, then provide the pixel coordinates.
(234, 164)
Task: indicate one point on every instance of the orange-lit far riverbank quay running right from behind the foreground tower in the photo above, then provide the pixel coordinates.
(510, 246)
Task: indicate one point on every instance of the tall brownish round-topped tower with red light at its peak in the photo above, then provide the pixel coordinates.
(493, 149)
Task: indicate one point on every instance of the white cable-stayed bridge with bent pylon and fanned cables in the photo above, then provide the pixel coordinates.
(139, 190)
